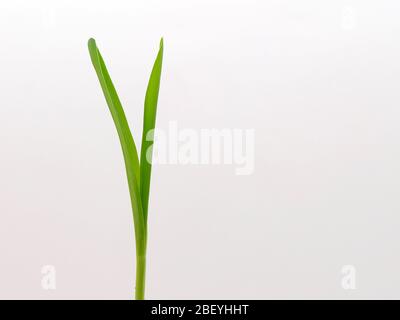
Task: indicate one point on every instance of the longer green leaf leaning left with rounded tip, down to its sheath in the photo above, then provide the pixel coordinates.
(127, 143)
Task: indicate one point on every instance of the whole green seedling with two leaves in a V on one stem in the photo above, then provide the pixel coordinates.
(138, 173)
